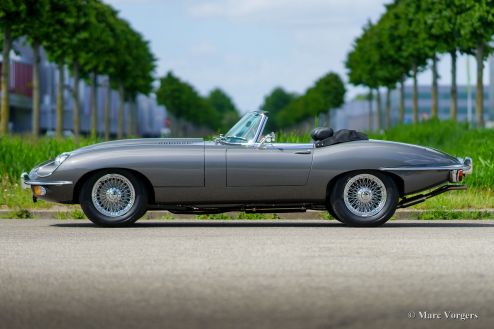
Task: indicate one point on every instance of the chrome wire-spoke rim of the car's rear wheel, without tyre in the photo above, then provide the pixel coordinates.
(365, 195)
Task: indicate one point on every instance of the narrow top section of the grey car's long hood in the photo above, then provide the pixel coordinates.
(138, 142)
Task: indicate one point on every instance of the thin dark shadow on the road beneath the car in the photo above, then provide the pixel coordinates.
(401, 224)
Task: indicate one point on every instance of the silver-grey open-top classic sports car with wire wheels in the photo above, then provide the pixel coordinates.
(361, 182)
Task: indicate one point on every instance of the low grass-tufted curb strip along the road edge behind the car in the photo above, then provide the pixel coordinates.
(401, 214)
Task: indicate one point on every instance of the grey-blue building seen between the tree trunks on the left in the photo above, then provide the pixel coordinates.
(150, 116)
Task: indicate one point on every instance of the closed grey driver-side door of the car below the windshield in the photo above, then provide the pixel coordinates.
(271, 165)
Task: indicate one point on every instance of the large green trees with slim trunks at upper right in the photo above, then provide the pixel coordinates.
(410, 35)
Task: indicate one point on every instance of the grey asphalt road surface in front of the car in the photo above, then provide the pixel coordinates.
(268, 274)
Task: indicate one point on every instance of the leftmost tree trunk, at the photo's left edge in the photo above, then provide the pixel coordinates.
(5, 81)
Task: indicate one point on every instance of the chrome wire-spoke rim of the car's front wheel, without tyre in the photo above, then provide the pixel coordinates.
(113, 195)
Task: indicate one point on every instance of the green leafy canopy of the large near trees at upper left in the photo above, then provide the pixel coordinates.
(86, 35)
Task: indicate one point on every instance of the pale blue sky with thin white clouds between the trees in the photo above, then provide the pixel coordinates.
(248, 47)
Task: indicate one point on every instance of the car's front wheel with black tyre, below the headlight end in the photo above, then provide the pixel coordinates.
(113, 198)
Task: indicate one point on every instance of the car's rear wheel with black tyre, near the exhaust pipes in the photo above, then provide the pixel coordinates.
(350, 213)
